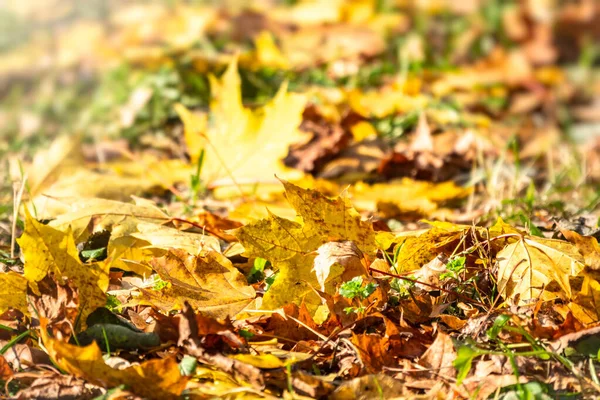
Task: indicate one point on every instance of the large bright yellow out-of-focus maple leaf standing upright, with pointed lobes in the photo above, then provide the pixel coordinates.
(243, 146)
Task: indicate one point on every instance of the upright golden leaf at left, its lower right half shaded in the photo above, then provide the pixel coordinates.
(48, 250)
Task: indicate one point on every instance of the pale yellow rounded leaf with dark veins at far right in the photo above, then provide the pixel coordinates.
(528, 267)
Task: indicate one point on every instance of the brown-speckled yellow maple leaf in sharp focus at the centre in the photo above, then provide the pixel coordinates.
(291, 246)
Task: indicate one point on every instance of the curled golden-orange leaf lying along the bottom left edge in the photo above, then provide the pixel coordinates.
(153, 379)
